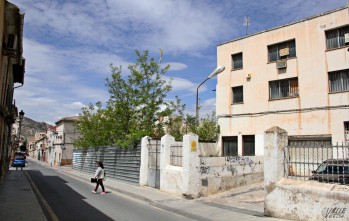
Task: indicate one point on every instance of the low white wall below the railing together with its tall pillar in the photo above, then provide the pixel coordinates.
(298, 199)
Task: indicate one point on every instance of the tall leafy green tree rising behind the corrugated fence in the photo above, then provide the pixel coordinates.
(136, 103)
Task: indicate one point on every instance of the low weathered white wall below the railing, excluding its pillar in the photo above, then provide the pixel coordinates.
(310, 200)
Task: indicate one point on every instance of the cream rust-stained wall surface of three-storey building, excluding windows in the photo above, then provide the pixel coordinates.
(311, 66)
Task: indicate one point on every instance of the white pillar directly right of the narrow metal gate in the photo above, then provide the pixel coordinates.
(165, 152)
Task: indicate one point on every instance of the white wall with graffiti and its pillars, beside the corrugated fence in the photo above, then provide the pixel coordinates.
(198, 176)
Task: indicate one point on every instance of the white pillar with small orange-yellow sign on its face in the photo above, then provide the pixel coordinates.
(191, 166)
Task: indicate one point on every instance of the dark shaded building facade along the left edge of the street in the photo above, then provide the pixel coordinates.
(11, 72)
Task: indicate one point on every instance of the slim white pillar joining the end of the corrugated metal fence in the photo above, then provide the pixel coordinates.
(143, 170)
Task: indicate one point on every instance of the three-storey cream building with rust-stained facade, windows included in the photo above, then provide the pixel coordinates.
(295, 76)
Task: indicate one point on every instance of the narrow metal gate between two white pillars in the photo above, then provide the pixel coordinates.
(154, 163)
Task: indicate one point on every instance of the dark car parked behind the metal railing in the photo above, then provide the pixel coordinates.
(332, 171)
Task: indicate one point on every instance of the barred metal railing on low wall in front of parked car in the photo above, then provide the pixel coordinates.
(303, 161)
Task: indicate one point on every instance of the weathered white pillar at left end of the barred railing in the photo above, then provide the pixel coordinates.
(275, 139)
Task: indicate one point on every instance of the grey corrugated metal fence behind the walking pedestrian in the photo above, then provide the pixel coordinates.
(121, 164)
